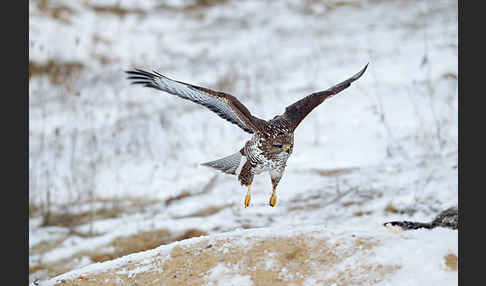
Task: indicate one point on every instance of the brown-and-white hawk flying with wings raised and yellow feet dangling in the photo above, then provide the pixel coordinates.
(273, 140)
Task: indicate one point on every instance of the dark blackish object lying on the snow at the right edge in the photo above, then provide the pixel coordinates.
(448, 218)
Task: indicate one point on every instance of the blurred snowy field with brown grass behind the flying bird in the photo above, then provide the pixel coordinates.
(383, 149)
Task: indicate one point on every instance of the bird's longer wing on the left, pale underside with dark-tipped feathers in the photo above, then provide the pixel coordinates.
(223, 104)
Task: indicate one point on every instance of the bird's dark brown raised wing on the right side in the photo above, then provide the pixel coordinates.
(296, 112)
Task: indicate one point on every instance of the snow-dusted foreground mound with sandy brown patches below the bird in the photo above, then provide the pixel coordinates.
(282, 256)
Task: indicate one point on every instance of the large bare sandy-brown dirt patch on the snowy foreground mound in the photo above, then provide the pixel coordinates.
(301, 257)
